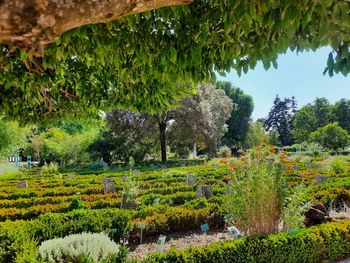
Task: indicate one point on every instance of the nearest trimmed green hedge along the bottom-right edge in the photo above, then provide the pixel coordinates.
(324, 243)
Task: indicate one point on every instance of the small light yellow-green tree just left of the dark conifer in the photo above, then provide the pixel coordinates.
(256, 135)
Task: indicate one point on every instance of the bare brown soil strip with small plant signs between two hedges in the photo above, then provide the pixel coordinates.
(178, 240)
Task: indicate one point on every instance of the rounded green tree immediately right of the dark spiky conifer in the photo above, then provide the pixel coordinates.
(311, 117)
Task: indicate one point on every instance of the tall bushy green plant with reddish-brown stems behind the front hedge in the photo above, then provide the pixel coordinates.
(259, 201)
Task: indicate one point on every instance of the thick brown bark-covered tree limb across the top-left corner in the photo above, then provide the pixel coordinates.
(31, 25)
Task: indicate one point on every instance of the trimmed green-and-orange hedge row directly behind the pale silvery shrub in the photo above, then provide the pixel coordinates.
(20, 238)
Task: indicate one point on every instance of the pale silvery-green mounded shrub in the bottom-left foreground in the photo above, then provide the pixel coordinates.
(84, 247)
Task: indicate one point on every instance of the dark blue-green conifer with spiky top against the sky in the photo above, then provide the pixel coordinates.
(280, 119)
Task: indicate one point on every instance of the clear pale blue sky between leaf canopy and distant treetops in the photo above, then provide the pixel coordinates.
(299, 75)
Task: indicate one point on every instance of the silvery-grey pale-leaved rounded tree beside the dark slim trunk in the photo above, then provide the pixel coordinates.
(200, 121)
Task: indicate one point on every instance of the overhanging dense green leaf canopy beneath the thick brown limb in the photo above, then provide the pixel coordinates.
(146, 61)
